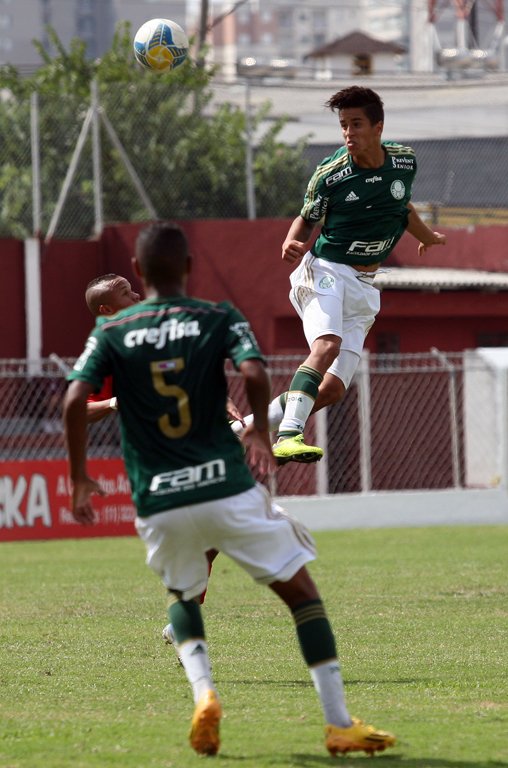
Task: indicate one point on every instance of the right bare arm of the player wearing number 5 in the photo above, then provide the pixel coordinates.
(257, 437)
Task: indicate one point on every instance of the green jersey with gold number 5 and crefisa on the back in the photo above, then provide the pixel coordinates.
(167, 358)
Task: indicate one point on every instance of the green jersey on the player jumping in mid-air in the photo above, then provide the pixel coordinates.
(364, 210)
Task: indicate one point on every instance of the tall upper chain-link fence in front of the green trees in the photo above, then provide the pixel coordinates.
(150, 151)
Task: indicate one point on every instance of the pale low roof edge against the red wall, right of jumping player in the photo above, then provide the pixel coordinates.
(435, 279)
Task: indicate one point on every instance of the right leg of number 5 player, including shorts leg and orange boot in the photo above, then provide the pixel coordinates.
(275, 549)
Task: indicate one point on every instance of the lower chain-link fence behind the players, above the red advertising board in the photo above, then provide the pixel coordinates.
(408, 422)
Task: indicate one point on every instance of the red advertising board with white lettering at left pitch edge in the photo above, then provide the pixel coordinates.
(35, 501)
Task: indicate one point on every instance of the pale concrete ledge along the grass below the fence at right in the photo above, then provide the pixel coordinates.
(399, 509)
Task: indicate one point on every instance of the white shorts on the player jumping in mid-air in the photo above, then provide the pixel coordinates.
(339, 300)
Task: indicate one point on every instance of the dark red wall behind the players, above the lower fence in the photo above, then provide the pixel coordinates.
(240, 261)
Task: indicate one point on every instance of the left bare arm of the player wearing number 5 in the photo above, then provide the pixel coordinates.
(75, 421)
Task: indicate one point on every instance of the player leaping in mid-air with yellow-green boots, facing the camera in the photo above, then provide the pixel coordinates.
(360, 196)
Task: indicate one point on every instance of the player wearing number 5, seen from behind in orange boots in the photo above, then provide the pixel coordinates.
(190, 483)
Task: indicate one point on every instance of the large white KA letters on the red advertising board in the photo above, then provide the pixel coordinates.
(24, 501)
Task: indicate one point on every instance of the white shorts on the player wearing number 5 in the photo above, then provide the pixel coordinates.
(248, 527)
